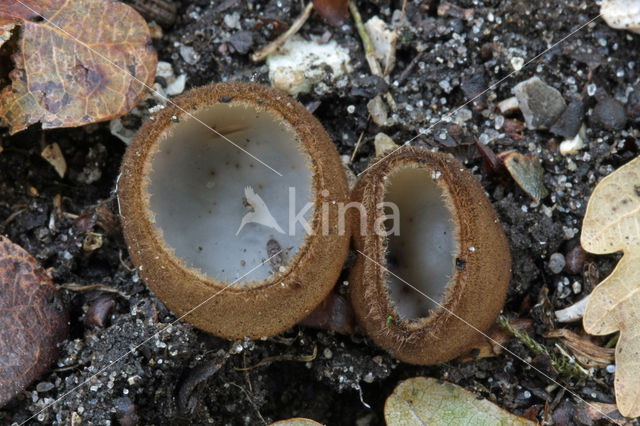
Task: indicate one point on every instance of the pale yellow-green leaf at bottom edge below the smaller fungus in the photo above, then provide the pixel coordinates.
(427, 401)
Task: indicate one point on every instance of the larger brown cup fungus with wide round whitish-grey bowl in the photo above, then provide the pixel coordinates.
(247, 220)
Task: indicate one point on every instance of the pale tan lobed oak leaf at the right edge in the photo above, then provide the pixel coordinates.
(612, 224)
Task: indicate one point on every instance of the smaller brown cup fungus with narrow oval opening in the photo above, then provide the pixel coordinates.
(445, 240)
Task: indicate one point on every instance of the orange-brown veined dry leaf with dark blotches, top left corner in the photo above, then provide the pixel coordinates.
(78, 62)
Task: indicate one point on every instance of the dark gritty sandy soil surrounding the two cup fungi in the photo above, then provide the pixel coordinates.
(184, 376)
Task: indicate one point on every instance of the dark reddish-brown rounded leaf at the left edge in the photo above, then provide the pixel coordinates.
(32, 320)
